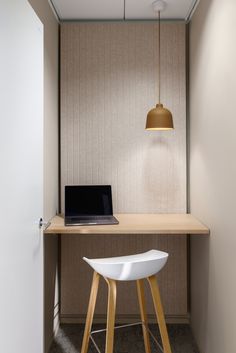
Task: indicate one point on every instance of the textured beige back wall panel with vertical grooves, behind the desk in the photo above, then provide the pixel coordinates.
(109, 82)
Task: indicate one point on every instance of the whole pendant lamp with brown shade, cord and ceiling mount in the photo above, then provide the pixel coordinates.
(159, 118)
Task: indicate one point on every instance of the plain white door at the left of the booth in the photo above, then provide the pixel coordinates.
(21, 178)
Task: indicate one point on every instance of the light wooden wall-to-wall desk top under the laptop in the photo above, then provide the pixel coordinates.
(135, 224)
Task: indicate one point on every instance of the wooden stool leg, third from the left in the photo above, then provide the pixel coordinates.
(143, 314)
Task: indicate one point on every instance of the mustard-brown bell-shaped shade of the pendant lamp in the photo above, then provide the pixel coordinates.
(159, 118)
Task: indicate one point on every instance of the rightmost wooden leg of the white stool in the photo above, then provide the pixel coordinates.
(159, 313)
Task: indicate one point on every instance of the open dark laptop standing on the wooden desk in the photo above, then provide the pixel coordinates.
(88, 205)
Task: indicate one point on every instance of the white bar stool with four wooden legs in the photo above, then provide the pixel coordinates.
(127, 268)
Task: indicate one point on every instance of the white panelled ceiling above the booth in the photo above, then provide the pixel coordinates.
(121, 9)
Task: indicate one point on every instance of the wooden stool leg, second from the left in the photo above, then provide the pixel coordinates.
(111, 309)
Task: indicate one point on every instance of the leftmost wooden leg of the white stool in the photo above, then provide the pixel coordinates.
(90, 313)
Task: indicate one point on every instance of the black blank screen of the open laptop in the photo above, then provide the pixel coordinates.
(88, 200)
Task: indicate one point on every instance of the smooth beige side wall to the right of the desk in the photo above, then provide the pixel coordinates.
(213, 173)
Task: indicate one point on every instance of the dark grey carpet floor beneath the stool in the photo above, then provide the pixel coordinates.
(127, 340)
